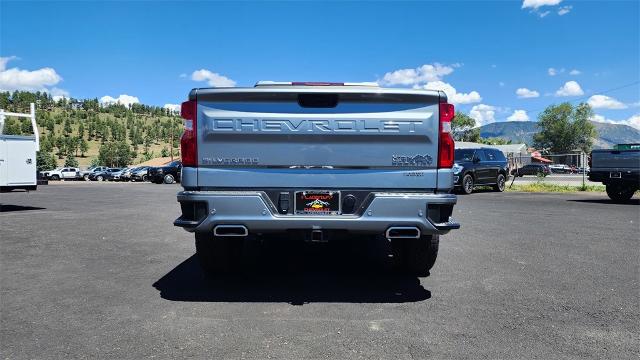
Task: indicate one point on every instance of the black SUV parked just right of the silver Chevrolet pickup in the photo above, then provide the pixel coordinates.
(479, 167)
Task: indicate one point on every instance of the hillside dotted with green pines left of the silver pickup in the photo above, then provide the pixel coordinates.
(84, 132)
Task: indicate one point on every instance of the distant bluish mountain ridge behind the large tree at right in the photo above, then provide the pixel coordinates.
(523, 131)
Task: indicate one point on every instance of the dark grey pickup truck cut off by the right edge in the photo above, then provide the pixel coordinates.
(618, 169)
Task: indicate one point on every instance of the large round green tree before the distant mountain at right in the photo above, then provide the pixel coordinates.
(565, 128)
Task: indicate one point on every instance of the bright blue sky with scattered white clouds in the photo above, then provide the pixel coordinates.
(479, 52)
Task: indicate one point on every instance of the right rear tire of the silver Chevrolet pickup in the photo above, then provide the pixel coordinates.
(416, 257)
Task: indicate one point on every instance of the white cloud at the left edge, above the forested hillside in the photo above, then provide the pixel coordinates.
(28, 80)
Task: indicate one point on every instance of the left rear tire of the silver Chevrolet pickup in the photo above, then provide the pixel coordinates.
(218, 255)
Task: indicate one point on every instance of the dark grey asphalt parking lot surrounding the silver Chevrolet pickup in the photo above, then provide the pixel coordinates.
(96, 270)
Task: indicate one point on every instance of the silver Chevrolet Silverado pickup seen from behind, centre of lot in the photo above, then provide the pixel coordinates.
(318, 161)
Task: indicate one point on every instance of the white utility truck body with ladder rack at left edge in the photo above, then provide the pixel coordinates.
(18, 155)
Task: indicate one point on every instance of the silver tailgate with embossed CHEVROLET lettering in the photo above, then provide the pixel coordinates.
(345, 138)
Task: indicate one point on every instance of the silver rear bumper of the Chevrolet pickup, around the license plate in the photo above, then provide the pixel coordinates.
(255, 211)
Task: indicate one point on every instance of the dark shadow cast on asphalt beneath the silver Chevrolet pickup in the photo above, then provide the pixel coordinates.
(298, 274)
